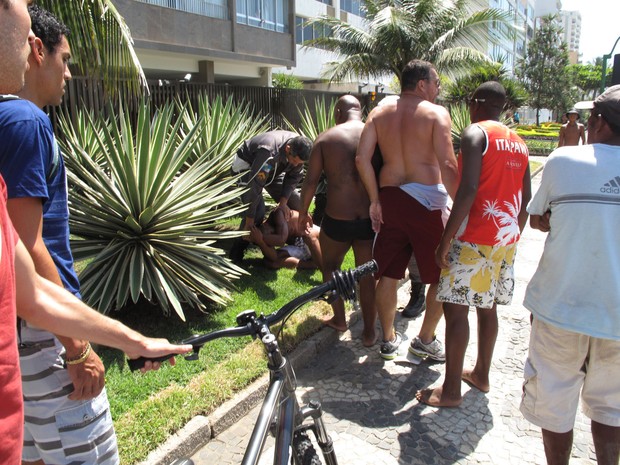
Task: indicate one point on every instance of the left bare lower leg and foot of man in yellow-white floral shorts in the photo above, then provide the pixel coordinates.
(457, 337)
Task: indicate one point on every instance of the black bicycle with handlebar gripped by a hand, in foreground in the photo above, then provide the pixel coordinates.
(281, 414)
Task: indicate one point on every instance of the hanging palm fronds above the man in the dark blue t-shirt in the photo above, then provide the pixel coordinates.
(101, 43)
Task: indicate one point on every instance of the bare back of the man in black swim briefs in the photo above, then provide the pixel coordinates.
(346, 196)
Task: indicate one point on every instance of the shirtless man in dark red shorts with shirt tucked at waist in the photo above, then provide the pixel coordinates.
(406, 204)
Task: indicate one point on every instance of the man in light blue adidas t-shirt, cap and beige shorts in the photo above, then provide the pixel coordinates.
(574, 295)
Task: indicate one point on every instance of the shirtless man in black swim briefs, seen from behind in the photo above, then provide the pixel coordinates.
(345, 223)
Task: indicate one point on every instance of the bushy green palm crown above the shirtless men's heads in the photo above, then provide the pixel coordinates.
(449, 34)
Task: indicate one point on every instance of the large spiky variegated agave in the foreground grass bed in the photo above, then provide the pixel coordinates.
(144, 212)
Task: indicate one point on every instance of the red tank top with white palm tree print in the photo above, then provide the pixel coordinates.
(493, 218)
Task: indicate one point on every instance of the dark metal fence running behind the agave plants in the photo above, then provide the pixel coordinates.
(276, 105)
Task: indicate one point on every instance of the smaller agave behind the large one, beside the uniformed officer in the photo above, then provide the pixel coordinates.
(224, 126)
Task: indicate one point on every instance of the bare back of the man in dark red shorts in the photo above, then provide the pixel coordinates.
(405, 130)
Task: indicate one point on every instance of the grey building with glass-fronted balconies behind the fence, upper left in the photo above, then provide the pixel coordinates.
(214, 41)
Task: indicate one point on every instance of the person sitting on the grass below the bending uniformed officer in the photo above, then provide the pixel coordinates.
(284, 244)
